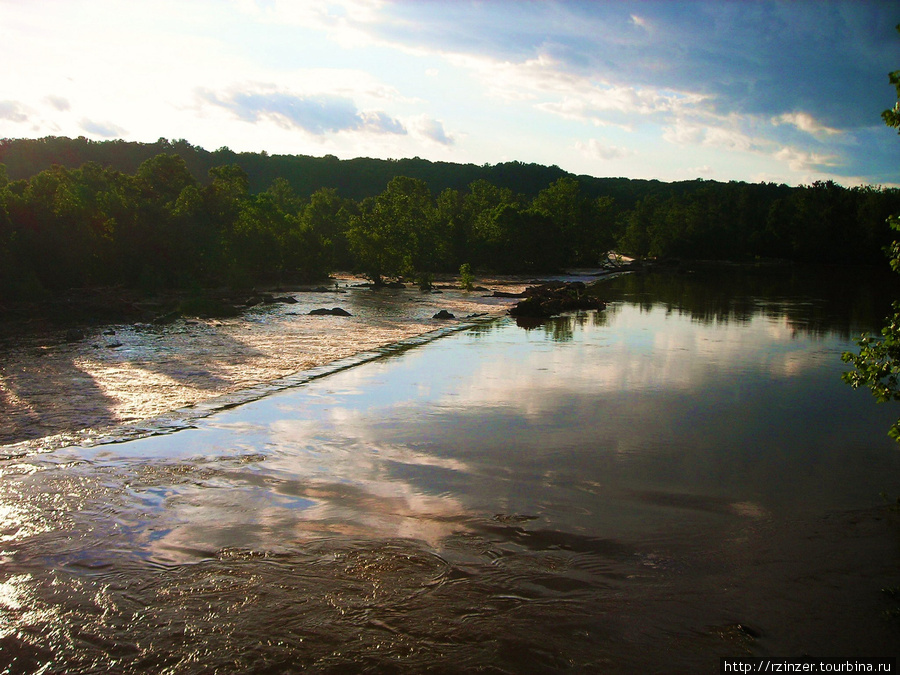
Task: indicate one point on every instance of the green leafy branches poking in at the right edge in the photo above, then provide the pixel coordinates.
(877, 365)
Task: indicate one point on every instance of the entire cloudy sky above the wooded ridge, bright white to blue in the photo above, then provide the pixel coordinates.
(787, 92)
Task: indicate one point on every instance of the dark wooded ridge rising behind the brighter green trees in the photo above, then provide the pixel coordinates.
(352, 178)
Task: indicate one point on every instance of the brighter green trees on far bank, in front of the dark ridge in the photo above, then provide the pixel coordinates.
(161, 228)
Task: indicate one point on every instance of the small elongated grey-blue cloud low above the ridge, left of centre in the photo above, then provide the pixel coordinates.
(317, 114)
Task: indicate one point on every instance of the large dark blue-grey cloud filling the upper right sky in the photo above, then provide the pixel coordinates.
(759, 58)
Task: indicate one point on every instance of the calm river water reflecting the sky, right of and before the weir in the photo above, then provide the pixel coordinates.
(680, 477)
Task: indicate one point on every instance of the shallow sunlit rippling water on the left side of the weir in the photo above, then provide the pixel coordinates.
(126, 381)
